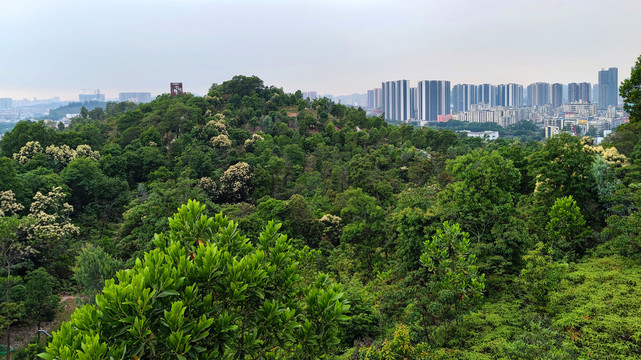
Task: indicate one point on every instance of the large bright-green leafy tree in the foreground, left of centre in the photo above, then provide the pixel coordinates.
(207, 292)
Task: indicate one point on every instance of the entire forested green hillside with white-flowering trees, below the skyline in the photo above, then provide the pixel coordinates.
(253, 224)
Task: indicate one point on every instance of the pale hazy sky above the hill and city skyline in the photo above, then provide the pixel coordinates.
(55, 48)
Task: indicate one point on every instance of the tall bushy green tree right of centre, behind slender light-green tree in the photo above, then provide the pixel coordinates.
(481, 200)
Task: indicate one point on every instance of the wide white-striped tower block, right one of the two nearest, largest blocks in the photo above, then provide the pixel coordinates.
(433, 99)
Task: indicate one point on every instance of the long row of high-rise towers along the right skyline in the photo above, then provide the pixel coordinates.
(399, 101)
